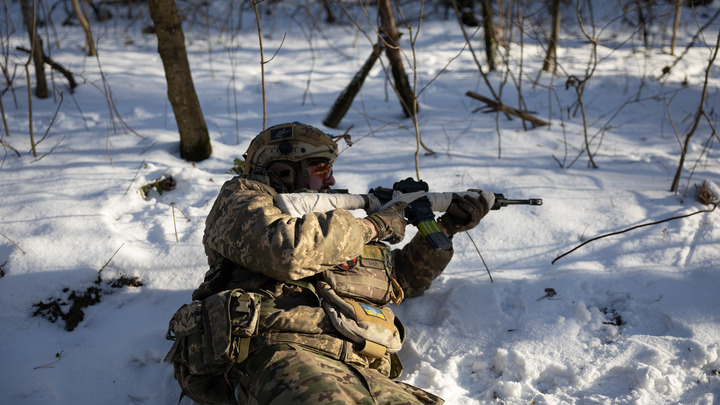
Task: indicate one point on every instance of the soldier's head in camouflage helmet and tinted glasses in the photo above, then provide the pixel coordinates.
(293, 156)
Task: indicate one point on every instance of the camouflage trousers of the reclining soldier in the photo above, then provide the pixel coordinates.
(303, 377)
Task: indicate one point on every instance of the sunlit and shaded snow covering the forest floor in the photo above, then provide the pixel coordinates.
(635, 317)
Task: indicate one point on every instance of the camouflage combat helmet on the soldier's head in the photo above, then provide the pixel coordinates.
(294, 144)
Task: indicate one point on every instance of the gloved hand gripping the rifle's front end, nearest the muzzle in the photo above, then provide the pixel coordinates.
(464, 213)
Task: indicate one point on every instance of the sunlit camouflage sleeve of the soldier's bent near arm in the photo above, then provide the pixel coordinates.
(245, 227)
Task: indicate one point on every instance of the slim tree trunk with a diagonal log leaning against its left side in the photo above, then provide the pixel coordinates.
(389, 29)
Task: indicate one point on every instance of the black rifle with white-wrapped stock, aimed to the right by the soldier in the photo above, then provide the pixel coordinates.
(421, 205)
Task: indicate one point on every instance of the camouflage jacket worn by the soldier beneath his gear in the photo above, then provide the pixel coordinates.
(251, 244)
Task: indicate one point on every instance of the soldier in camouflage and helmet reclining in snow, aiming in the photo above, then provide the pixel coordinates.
(320, 284)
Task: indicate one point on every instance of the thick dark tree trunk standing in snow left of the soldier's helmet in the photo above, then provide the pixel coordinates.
(194, 136)
